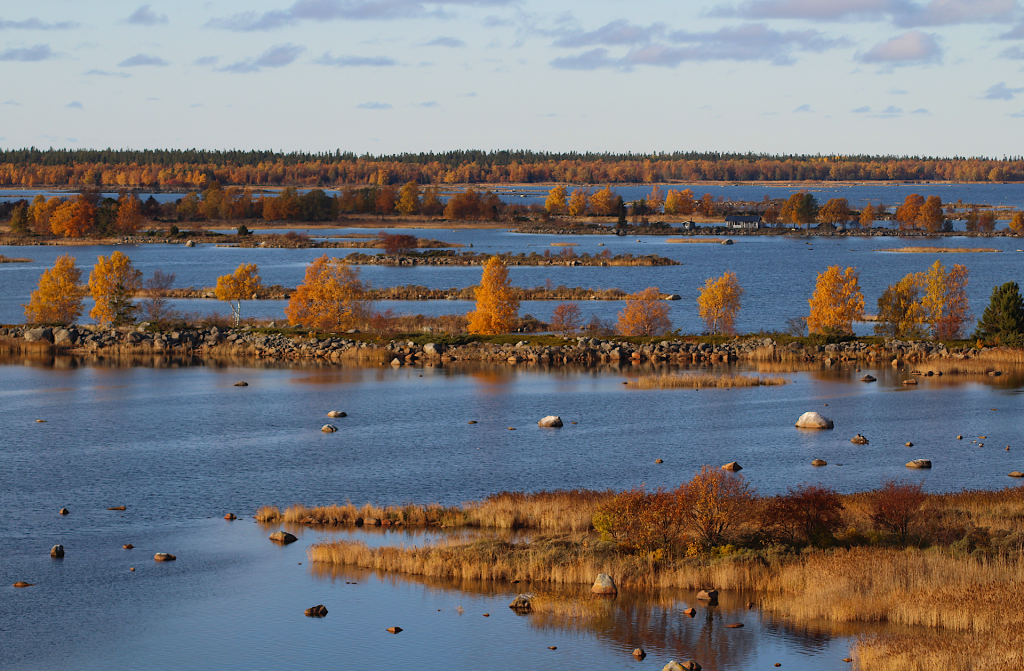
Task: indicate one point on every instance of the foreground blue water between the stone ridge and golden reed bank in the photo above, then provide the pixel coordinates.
(181, 447)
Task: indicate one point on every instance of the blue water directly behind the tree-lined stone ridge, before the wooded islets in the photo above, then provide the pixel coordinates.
(777, 273)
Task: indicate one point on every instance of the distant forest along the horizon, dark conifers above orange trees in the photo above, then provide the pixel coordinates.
(198, 169)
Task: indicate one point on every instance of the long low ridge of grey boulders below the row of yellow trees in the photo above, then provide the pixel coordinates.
(247, 343)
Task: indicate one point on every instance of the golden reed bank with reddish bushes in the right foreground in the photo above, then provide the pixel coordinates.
(947, 565)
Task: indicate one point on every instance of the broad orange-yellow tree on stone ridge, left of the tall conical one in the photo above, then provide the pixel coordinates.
(331, 299)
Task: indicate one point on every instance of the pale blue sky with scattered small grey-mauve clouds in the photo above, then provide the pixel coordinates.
(883, 77)
